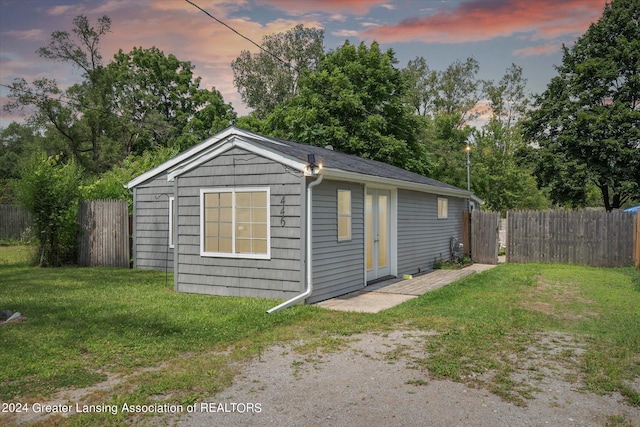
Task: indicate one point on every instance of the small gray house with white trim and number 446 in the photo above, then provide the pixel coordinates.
(242, 214)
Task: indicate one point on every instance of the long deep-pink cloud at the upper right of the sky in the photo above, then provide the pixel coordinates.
(480, 20)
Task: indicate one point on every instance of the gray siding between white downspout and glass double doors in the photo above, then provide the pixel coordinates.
(338, 266)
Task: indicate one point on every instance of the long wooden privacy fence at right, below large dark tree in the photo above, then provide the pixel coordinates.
(599, 239)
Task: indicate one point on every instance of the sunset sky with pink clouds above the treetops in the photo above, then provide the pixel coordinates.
(497, 33)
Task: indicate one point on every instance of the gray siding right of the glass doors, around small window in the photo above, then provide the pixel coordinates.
(422, 237)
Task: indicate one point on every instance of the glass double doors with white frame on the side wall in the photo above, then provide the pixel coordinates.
(377, 233)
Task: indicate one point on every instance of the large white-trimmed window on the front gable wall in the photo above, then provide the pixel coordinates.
(235, 222)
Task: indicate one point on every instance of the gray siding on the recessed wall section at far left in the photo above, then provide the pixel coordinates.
(151, 226)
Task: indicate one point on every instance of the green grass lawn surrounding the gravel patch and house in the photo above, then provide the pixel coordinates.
(84, 325)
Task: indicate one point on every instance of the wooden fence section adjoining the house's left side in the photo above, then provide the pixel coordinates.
(104, 233)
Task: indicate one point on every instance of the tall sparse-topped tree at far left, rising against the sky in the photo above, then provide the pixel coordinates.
(80, 114)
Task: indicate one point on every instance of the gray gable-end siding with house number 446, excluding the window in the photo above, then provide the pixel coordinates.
(279, 277)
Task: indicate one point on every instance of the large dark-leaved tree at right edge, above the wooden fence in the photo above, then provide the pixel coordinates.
(586, 123)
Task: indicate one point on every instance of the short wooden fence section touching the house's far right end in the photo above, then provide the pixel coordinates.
(485, 240)
